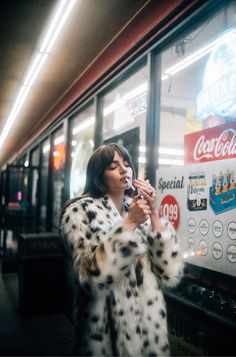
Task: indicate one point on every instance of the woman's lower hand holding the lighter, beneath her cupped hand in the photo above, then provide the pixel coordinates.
(139, 212)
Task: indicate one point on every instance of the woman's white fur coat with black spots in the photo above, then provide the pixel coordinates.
(121, 273)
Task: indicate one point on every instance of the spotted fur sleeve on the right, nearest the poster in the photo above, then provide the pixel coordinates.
(165, 255)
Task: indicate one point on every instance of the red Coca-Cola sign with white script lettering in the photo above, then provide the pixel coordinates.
(217, 143)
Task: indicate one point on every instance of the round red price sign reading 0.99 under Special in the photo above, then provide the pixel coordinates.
(169, 209)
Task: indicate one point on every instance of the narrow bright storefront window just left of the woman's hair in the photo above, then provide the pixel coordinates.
(81, 148)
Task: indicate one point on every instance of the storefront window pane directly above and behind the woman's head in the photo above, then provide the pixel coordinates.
(124, 117)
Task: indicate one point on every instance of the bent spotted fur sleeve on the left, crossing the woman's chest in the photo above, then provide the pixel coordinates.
(98, 263)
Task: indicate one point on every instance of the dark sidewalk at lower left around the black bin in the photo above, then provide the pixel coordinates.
(42, 335)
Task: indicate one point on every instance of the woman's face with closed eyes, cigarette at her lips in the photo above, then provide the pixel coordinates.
(115, 175)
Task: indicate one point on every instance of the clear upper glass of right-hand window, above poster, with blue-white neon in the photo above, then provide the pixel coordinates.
(197, 83)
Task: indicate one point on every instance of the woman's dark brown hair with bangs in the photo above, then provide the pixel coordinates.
(98, 162)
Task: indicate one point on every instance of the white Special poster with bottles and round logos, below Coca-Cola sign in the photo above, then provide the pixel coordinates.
(200, 202)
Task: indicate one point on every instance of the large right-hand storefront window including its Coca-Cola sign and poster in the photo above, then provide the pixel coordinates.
(197, 153)
